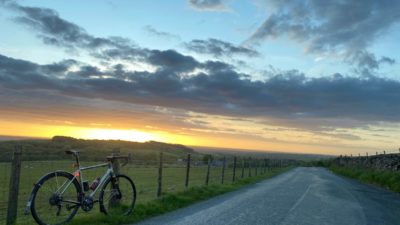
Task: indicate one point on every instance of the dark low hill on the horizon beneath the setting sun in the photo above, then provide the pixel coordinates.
(96, 150)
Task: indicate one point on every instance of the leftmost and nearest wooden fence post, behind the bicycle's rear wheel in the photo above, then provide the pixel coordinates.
(14, 186)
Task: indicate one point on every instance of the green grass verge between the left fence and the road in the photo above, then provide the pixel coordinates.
(173, 201)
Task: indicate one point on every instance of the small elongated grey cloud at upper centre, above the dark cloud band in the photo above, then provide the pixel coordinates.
(219, 48)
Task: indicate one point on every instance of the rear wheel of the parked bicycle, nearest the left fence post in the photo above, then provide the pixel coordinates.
(55, 198)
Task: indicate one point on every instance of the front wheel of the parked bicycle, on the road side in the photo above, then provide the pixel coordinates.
(118, 196)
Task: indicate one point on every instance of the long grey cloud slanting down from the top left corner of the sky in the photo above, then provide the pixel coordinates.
(56, 31)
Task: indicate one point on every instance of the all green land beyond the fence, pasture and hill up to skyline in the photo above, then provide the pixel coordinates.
(43, 156)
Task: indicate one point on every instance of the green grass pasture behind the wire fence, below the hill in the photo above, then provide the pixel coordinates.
(144, 176)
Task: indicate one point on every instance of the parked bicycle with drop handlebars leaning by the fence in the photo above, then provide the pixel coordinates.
(57, 196)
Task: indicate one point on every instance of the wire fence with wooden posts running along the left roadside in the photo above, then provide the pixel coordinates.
(151, 177)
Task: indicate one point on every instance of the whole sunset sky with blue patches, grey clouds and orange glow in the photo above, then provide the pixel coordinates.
(303, 76)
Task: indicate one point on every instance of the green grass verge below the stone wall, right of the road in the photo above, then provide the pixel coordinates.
(383, 178)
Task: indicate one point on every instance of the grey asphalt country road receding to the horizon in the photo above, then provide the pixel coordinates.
(302, 196)
